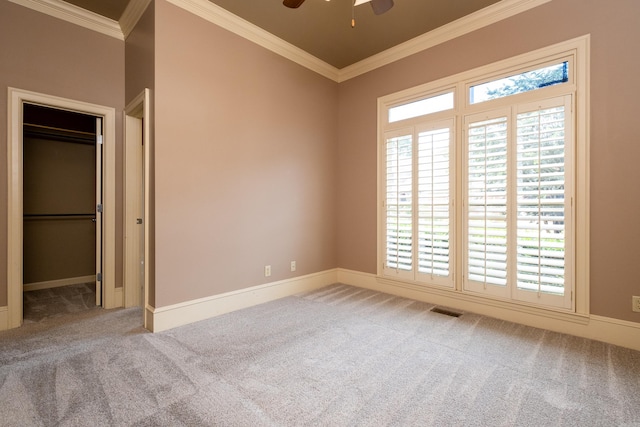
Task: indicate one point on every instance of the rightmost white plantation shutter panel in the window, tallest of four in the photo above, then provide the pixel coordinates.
(543, 205)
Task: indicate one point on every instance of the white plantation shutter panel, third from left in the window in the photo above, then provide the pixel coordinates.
(487, 202)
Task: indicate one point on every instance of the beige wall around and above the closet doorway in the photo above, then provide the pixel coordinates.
(43, 54)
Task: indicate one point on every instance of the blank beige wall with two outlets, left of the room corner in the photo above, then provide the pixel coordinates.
(245, 149)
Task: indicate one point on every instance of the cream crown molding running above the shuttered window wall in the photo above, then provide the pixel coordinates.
(467, 24)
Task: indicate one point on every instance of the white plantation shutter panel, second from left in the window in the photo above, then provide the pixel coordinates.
(434, 198)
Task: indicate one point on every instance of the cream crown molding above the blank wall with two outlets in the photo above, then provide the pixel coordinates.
(225, 19)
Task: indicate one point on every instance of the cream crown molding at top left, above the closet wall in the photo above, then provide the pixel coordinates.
(75, 15)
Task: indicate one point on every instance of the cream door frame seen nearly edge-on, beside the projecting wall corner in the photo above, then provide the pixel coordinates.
(137, 131)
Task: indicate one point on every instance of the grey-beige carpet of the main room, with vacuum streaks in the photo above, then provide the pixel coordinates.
(339, 356)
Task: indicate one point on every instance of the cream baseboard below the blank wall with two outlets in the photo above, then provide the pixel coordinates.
(163, 318)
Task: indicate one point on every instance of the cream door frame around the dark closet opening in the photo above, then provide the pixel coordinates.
(17, 98)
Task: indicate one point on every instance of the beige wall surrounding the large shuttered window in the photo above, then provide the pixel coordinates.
(615, 66)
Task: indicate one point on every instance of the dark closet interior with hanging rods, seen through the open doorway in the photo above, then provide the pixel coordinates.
(62, 212)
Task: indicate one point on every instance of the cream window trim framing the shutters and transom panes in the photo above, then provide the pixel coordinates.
(577, 50)
